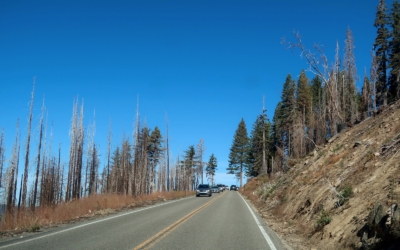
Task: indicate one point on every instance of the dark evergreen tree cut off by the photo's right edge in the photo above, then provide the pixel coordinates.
(394, 53)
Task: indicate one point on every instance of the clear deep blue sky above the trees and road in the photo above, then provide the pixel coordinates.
(206, 64)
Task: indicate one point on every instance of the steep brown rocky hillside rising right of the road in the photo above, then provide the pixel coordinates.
(345, 195)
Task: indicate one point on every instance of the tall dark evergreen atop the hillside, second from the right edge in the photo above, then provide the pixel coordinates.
(381, 50)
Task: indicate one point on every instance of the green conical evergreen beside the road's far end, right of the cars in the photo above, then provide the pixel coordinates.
(239, 152)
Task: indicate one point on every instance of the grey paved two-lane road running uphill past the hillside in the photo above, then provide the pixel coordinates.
(223, 221)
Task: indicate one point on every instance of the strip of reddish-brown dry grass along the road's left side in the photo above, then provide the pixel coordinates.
(95, 205)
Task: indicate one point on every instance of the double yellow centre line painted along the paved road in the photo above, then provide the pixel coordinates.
(166, 231)
